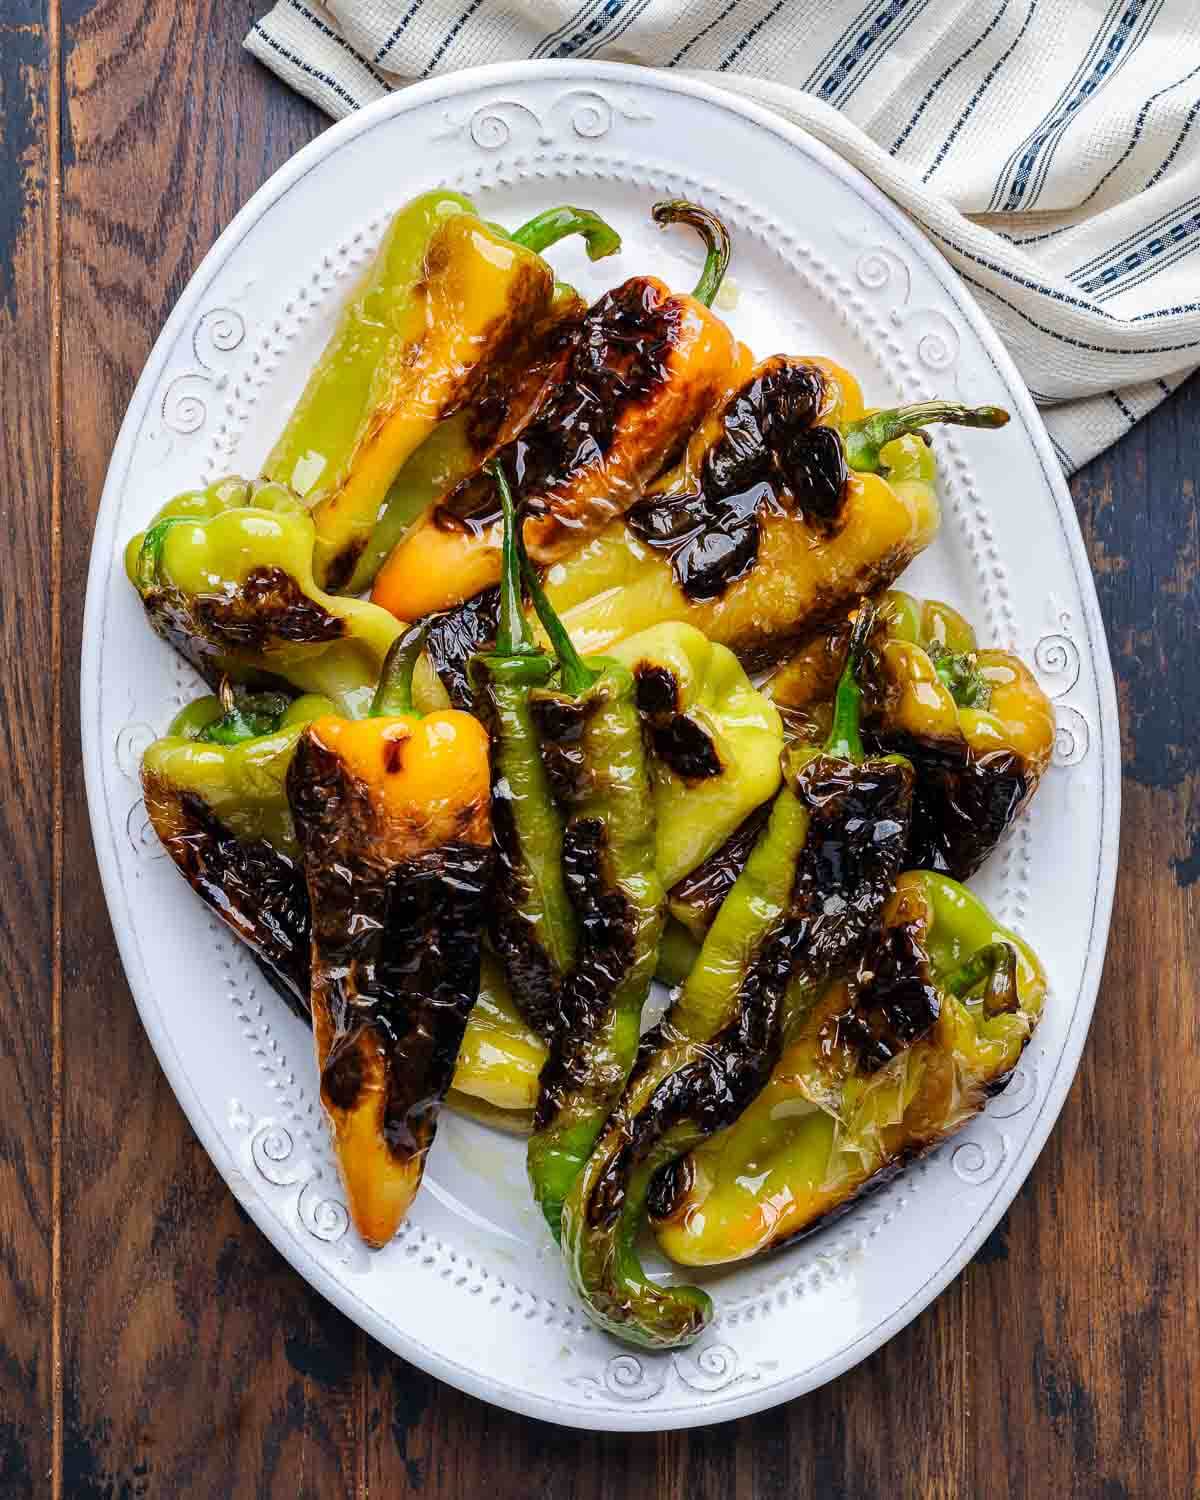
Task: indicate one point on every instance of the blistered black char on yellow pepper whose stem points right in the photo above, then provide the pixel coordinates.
(769, 457)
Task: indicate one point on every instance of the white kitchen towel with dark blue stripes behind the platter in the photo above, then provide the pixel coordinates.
(1049, 148)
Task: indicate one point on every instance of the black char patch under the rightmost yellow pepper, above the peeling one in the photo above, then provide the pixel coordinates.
(964, 805)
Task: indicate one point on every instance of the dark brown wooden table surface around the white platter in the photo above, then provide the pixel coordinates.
(152, 1342)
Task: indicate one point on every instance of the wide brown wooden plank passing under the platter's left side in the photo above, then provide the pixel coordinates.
(194, 1361)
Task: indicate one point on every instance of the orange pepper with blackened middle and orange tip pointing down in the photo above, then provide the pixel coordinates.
(392, 817)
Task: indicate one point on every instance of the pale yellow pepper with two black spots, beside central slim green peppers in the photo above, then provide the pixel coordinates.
(715, 740)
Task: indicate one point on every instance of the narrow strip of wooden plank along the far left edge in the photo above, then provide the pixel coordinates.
(28, 971)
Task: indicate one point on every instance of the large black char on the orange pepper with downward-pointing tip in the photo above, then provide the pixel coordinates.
(397, 944)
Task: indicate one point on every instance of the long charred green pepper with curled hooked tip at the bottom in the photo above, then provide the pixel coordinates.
(836, 832)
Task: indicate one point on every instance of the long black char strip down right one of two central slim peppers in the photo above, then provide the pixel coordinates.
(607, 950)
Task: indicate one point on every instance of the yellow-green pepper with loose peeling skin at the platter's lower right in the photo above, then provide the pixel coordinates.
(880, 1070)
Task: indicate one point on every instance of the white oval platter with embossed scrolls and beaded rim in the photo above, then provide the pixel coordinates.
(472, 1289)
